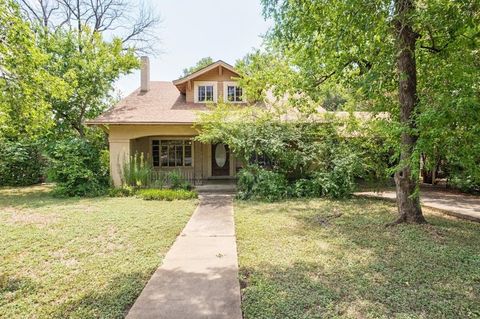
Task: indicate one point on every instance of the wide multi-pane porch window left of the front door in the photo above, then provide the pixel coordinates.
(172, 153)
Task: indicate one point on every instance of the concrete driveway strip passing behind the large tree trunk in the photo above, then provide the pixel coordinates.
(455, 204)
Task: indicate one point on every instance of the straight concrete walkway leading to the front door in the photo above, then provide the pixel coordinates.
(199, 275)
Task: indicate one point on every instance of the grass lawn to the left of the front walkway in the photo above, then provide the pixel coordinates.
(80, 258)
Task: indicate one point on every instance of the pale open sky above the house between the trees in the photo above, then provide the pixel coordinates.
(191, 29)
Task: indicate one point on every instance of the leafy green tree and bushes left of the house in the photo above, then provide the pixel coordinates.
(52, 81)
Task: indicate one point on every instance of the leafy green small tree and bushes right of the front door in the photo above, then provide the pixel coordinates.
(313, 154)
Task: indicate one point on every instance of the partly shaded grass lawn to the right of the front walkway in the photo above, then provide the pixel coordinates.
(336, 259)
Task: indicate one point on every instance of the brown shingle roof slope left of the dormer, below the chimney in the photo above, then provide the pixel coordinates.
(163, 103)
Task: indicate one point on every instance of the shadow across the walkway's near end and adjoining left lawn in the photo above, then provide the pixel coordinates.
(174, 294)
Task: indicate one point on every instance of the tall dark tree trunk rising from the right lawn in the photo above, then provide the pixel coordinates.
(408, 200)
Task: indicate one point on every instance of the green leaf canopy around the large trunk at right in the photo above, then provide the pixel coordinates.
(353, 44)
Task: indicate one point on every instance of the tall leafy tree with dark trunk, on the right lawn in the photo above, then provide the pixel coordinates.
(383, 49)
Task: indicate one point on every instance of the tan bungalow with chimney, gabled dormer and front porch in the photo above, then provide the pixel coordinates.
(157, 120)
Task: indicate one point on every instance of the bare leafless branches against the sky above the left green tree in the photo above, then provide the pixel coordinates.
(134, 25)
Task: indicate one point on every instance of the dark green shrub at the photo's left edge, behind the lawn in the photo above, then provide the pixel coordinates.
(21, 163)
